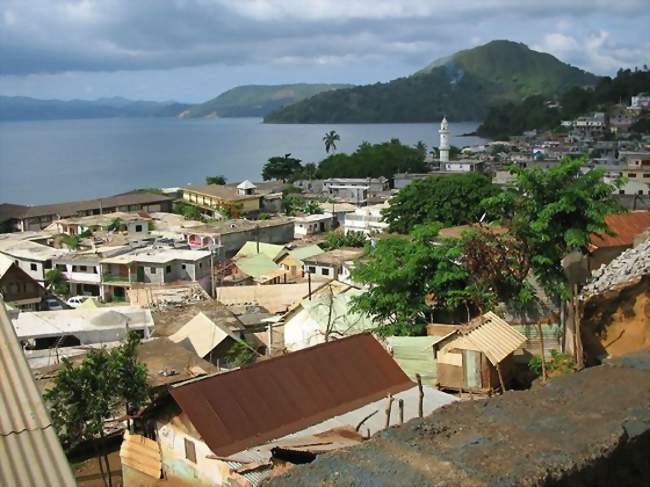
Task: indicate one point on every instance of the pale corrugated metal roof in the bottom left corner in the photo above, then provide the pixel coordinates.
(30, 453)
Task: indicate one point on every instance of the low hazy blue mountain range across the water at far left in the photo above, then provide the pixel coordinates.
(18, 108)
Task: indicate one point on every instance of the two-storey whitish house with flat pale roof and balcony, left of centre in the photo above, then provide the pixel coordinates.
(153, 266)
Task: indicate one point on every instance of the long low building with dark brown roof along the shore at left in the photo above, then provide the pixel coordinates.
(24, 218)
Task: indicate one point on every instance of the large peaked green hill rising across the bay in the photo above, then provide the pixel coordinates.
(462, 87)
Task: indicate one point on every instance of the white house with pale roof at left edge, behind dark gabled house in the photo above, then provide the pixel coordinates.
(33, 258)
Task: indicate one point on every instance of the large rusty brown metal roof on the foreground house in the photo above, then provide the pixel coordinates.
(270, 399)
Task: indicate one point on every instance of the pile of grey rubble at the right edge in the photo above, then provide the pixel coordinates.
(626, 269)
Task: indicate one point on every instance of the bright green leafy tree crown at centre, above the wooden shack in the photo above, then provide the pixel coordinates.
(403, 273)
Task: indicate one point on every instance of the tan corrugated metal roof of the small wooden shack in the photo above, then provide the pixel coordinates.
(490, 335)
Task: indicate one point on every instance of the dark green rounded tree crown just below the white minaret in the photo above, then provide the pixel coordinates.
(451, 200)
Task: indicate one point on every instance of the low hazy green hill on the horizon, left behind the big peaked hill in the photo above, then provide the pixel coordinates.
(255, 100)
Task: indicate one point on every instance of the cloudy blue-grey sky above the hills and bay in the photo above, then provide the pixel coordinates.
(192, 50)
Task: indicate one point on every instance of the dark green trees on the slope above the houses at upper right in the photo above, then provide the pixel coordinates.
(515, 117)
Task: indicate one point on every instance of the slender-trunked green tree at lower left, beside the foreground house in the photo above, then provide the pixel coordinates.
(85, 396)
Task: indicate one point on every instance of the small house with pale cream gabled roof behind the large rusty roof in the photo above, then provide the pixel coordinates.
(209, 339)
